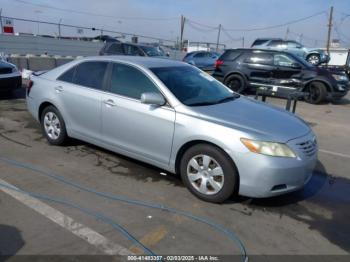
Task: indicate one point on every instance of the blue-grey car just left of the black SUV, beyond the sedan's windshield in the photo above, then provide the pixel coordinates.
(202, 59)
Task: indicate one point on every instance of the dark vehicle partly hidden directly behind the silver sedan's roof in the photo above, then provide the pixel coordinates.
(118, 48)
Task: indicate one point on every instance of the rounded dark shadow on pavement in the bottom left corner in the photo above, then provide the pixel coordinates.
(11, 241)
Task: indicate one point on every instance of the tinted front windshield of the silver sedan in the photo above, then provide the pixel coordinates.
(192, 86)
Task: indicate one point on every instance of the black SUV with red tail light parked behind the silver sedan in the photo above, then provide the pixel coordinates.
(241, 69)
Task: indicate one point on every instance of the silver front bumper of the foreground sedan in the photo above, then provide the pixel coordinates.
(265, 176)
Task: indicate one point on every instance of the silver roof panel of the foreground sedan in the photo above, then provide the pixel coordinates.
(147, 62)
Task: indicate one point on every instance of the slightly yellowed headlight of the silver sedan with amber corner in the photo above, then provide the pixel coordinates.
(268, 148)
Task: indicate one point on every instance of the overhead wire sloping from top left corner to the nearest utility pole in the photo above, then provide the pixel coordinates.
(94, 14)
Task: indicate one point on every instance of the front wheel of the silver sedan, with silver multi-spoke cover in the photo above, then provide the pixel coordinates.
(208, 173)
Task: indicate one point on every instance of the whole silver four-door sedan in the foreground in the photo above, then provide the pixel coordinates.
(174, 116)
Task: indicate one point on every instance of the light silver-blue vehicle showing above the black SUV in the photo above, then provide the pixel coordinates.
(314, 56)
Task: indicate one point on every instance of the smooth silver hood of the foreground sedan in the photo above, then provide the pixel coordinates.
(260, 120)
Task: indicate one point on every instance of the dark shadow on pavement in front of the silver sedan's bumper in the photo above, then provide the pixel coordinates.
(323, 205)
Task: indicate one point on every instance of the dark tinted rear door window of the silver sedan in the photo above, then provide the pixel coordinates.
(90, 74)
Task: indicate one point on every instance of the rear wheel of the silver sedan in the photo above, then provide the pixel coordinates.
(53, 126)
